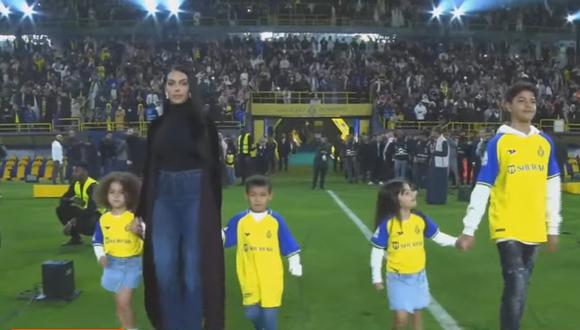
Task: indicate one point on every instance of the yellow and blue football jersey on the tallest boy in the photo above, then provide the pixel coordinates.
(517, 169)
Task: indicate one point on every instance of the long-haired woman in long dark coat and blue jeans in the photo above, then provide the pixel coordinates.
(180, 205)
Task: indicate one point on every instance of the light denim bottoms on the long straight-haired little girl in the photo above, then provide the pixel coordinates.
(408, 292)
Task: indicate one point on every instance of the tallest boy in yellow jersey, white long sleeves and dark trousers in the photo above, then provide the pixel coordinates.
(521, 178)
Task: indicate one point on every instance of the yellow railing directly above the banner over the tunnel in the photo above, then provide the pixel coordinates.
(309, 97)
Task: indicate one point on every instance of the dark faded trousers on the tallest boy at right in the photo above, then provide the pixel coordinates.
(517, 263)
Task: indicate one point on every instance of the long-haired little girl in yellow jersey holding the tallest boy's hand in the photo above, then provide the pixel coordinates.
(400, 232)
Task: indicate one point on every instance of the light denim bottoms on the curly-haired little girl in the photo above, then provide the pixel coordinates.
(122, 273)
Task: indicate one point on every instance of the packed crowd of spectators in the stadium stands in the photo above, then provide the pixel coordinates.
(117, 80)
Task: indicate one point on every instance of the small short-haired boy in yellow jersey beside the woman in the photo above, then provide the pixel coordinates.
(262, 237)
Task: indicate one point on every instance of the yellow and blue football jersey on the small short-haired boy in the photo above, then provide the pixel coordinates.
(260, 245)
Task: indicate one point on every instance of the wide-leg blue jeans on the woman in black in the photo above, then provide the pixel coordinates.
(176, 249)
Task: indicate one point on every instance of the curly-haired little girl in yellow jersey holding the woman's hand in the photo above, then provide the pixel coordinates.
(116, 242)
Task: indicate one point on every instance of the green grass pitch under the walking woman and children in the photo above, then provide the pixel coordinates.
(335, 291)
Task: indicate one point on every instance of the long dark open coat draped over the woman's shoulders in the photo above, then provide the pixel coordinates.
(212, 255)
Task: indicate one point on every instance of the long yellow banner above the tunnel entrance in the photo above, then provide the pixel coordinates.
(311, 110)
